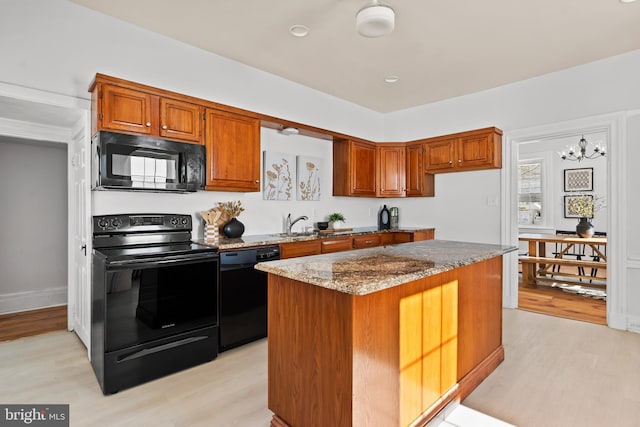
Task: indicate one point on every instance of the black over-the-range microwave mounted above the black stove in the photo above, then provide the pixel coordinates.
(141, 163)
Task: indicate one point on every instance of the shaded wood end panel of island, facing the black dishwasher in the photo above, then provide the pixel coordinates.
(309, 364)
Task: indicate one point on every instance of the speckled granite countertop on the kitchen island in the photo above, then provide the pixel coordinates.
(364, 271)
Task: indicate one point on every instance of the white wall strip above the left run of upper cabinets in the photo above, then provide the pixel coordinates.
(59, 46)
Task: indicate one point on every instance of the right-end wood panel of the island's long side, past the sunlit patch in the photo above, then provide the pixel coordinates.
(479, 313)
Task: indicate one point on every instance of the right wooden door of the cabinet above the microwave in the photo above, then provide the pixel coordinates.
(180, 120)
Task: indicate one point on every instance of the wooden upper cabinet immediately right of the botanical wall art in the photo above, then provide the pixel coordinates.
(354, 168)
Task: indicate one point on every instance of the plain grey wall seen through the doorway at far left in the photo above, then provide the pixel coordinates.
(33, 230)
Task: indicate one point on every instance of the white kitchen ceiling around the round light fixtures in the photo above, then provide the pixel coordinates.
(439, 49)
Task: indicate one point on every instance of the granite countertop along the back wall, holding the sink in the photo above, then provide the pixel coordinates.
(225, 243)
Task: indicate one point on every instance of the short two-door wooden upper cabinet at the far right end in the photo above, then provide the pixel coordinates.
(473, 150)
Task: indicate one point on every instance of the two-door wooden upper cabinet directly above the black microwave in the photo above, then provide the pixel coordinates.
(141, 111)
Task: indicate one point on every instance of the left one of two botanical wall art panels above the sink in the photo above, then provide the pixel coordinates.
(278, 176)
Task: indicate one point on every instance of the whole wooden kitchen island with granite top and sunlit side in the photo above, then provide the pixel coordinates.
(385, 336)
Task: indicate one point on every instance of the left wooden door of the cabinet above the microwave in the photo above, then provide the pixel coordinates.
(125, 110)
